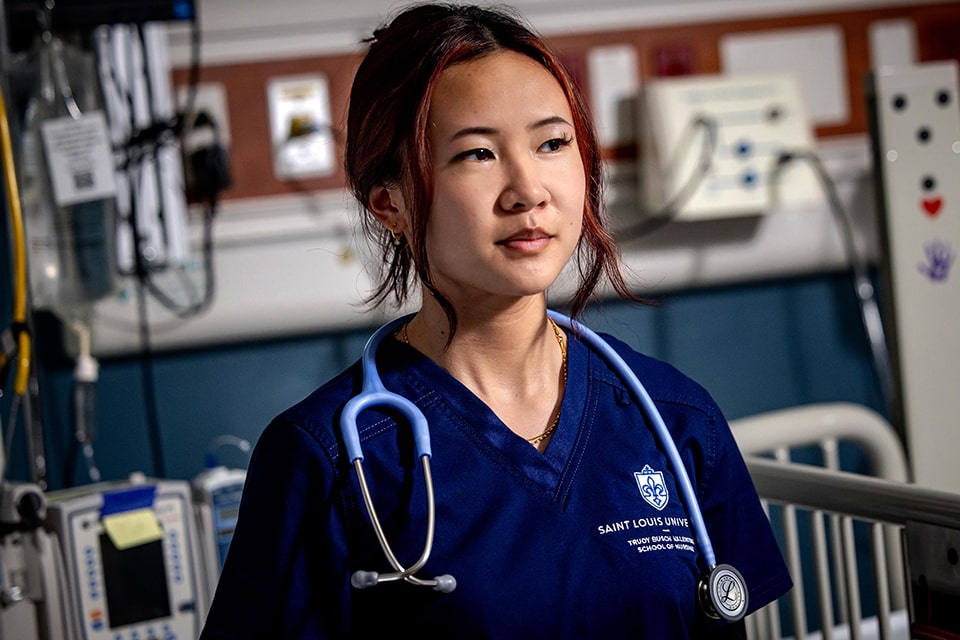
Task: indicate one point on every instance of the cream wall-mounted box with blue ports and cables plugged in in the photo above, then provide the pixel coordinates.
(751, 119)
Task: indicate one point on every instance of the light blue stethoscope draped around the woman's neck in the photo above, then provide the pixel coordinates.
(721, 591)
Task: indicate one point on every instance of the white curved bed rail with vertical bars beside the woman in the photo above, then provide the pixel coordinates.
(821, 526)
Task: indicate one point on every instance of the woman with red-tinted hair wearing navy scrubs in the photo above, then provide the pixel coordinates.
(557, 512)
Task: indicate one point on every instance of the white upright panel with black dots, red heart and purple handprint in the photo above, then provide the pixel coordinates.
(915, 126)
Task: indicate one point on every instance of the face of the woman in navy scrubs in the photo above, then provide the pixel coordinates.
(509, 183)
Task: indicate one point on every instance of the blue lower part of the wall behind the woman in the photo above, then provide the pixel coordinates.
(756, 347)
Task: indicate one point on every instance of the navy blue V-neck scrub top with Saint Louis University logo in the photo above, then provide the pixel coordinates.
(588, 538)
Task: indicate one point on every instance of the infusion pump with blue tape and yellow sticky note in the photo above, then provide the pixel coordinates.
(131, 558)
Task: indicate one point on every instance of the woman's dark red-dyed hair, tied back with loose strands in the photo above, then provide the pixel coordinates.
(387, 143)
